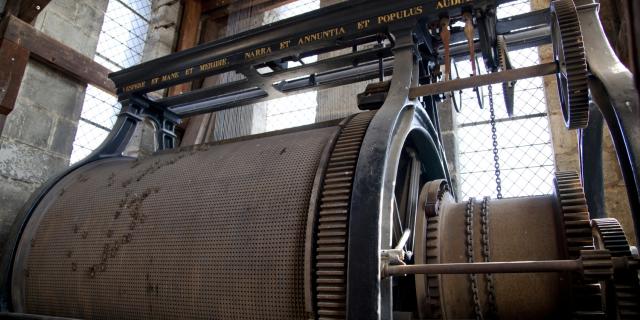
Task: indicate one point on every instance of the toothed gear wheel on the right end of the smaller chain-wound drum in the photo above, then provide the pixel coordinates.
(586, 300)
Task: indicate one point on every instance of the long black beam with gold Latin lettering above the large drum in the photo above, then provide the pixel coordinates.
(318, 29)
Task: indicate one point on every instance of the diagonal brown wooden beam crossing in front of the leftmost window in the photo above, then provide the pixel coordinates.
(57, 55)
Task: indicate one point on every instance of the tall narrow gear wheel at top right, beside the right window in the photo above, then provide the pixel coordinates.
(568, 50)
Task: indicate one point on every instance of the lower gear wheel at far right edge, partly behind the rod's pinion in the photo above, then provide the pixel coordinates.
(626, 290)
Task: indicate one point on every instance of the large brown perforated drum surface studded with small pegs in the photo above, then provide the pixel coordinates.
(215, 233)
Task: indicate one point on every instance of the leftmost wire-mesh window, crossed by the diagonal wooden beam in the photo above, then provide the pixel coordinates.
(120, 45)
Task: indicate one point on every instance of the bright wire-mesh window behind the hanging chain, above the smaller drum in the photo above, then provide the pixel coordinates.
(525, 155)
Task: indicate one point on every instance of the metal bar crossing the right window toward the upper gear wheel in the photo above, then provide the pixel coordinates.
(483, 80)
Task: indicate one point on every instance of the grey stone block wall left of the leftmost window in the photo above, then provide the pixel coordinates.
(37, 139)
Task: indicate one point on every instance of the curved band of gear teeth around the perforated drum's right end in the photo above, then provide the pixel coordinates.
(332, 221)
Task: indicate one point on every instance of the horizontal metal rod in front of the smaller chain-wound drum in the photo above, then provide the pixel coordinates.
(486, 267)
